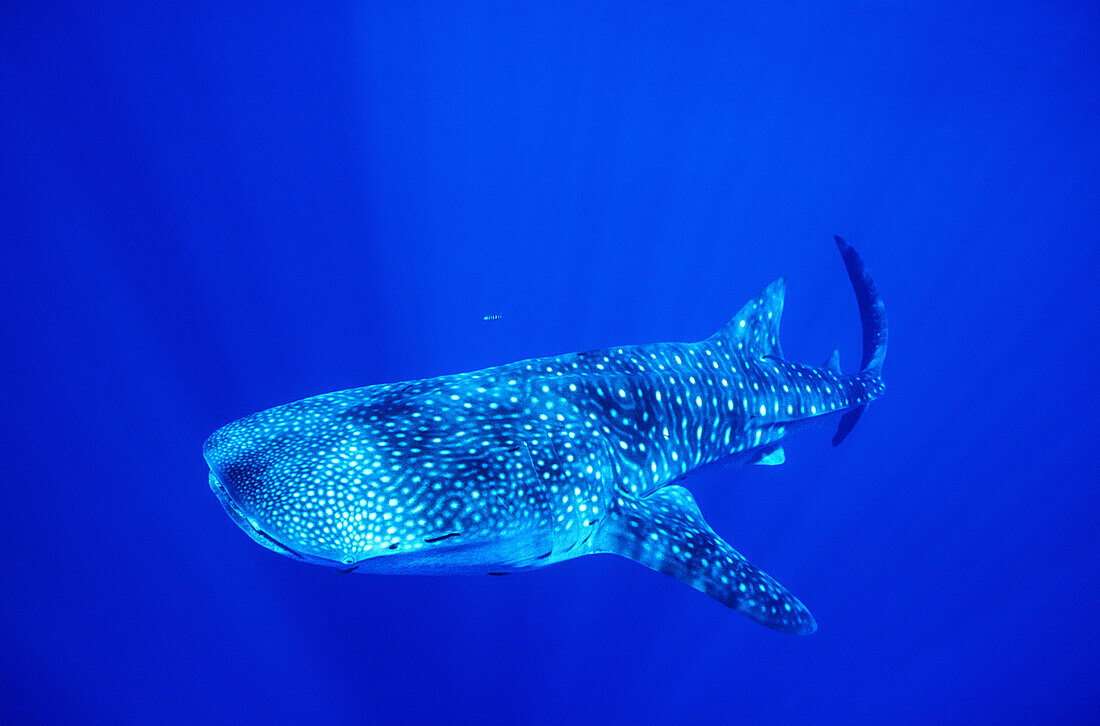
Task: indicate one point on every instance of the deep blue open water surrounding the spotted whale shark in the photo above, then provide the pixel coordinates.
(208, 212)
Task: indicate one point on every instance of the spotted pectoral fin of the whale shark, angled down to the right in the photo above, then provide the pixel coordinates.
(667, 533)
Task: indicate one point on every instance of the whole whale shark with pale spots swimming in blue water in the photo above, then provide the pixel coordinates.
(531, 464)
